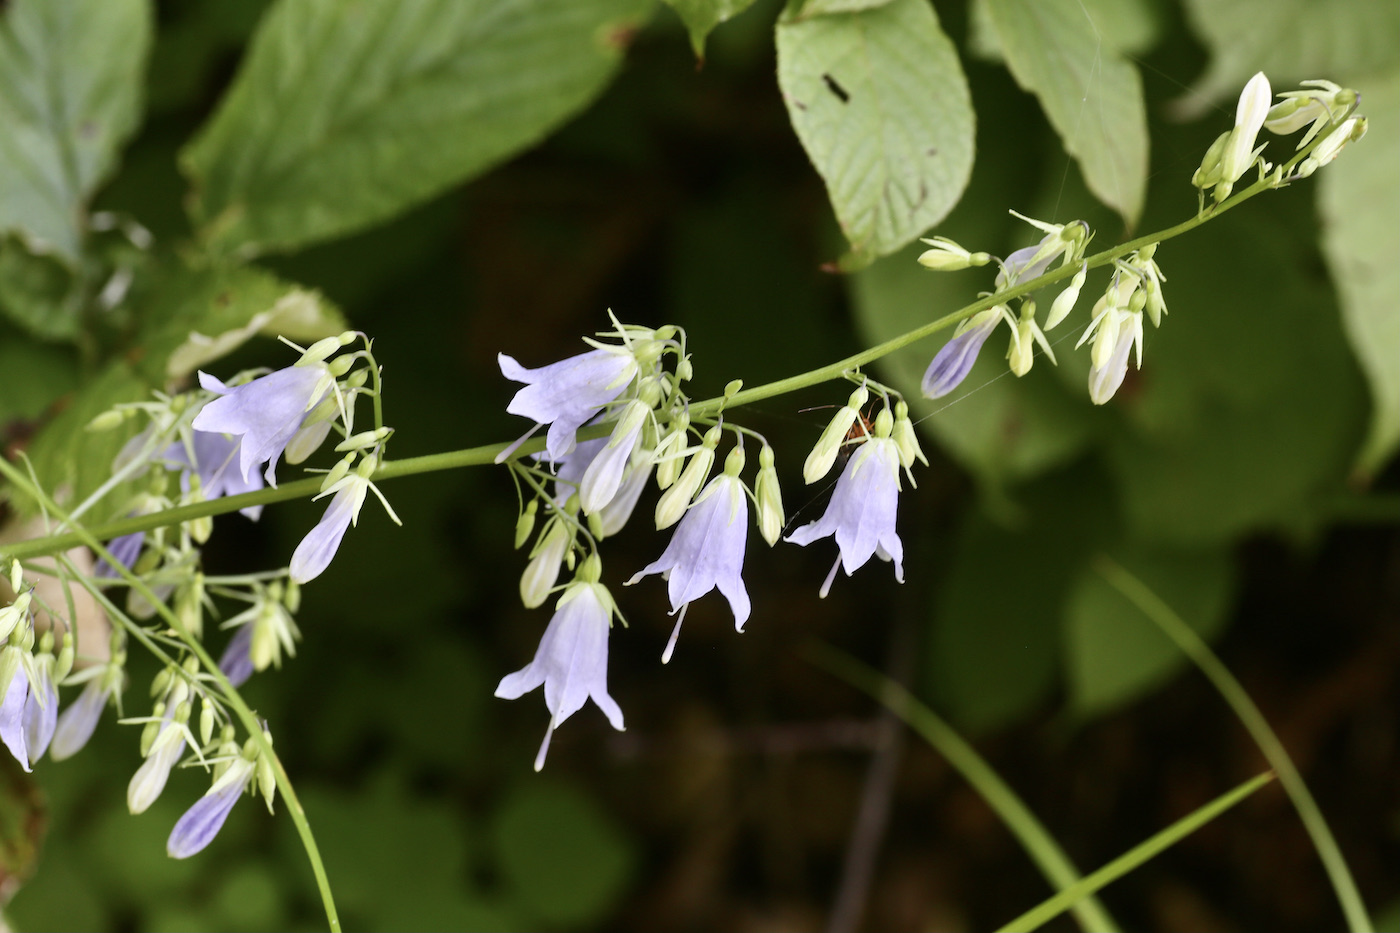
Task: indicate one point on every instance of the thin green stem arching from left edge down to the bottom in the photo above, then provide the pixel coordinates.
(232, 696)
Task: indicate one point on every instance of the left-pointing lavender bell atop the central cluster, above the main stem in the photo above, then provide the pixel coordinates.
(569, 393)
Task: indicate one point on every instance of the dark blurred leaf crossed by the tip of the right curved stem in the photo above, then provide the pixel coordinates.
(1114, 654)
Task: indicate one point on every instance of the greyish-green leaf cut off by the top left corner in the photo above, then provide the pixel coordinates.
(71, 83)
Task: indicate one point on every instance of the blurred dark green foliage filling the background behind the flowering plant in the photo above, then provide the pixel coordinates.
(1247, 473)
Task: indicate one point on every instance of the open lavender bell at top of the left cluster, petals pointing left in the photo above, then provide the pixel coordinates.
(265, 414)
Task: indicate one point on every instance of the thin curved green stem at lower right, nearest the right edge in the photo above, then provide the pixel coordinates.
(1191, 644)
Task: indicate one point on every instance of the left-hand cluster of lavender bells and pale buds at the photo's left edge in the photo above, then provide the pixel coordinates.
(222, 439)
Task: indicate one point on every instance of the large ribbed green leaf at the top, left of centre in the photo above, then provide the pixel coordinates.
(348, 113)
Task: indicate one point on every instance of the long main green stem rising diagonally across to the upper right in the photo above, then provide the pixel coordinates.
(486, 455)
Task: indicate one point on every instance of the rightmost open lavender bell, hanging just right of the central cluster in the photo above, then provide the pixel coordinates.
(862, 513)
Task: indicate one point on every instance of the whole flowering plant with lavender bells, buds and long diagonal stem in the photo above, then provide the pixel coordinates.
(615, 417)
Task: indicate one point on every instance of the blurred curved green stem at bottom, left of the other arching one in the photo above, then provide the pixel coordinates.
(1042, 848)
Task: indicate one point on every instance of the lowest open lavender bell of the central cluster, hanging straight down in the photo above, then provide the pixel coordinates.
(572, 661)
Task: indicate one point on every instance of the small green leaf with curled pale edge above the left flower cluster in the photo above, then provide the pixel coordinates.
(206, 315)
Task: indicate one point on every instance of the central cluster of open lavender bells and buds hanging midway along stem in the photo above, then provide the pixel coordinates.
(629, 394)
